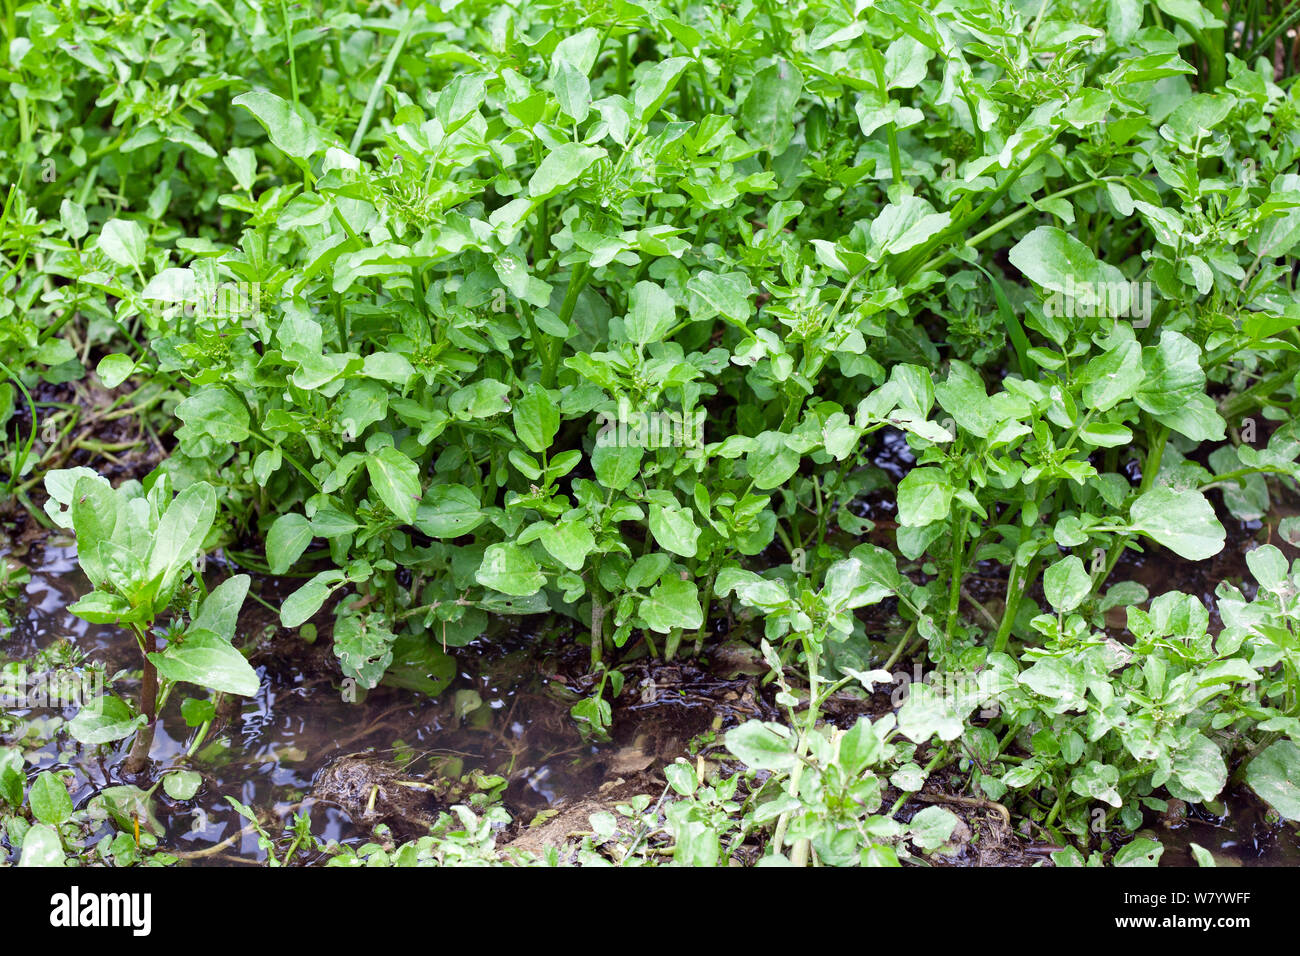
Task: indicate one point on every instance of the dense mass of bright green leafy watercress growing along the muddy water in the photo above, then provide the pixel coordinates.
(606, 310)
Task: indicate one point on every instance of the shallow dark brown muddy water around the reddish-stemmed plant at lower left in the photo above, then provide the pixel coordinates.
(283, 751)
